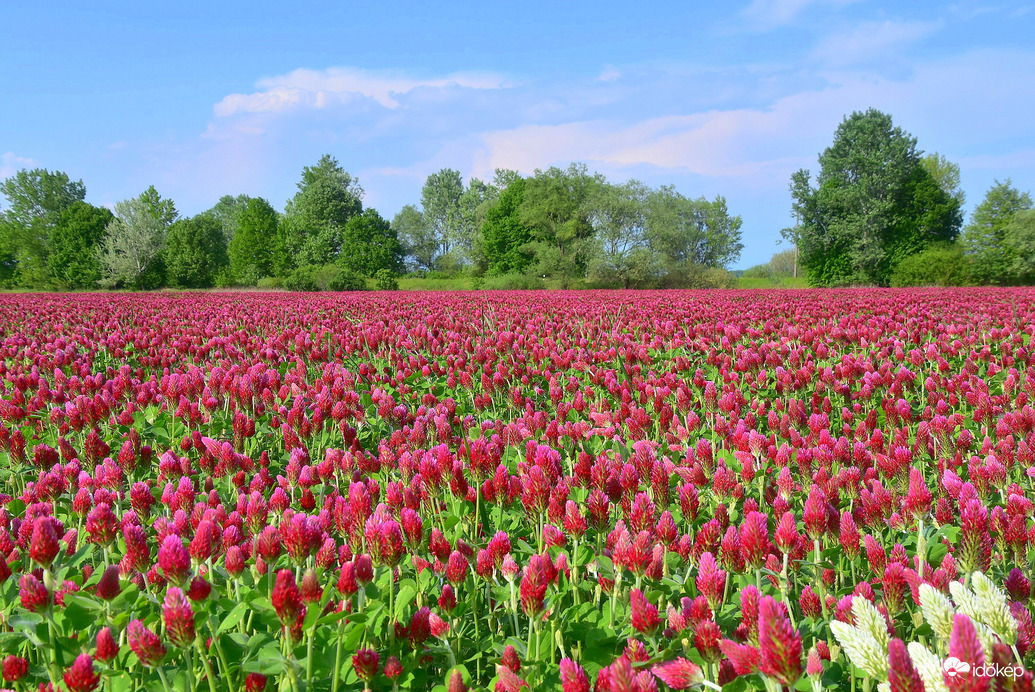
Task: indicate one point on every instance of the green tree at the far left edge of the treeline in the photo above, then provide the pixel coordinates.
(36, 201)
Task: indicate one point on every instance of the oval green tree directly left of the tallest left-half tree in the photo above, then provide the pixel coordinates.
(257, 248)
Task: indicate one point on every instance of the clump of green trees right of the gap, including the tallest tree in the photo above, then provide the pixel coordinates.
(880, 214)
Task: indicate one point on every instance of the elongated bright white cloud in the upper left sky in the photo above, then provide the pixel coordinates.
(318, 89)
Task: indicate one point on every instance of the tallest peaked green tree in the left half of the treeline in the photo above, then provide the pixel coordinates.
(315, 219)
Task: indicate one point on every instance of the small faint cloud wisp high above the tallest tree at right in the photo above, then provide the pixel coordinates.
(870, 42)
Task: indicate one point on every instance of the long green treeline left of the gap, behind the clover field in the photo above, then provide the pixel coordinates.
(569, 227)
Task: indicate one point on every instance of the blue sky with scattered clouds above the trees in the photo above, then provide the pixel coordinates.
(204, 100)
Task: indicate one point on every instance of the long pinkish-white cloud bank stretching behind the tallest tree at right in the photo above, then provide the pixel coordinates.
(759, 147)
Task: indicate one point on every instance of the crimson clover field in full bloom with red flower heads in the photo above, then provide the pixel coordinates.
(614, 492)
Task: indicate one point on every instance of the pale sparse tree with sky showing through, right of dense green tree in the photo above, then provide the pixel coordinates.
(624, 256)
